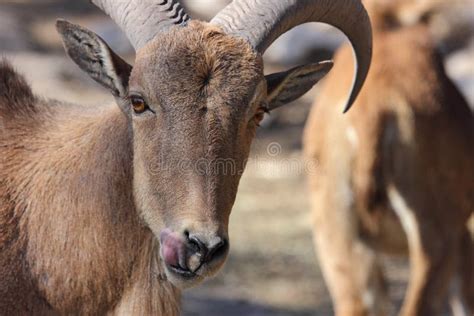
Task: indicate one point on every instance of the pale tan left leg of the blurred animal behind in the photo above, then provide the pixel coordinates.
(351, 269)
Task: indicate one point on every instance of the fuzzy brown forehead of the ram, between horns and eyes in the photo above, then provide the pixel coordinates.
(199, 64)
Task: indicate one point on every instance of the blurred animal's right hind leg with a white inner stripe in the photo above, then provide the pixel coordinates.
(433, 256)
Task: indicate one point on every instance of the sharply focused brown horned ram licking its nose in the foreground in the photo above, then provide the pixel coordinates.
(115, 209)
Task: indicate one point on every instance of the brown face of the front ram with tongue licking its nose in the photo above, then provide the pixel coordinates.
(196, 98)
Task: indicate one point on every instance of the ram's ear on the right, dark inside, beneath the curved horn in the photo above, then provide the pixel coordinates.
(287, 86)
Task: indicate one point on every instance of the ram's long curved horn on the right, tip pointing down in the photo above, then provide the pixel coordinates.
(261, 22)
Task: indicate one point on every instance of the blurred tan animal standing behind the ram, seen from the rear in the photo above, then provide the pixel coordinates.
(396, 174)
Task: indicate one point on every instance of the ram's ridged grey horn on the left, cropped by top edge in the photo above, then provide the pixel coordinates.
(141, 20)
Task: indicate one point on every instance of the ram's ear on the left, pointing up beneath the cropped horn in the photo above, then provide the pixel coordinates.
(95, 57)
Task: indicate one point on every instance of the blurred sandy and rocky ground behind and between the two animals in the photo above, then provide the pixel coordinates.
(272, 268)
